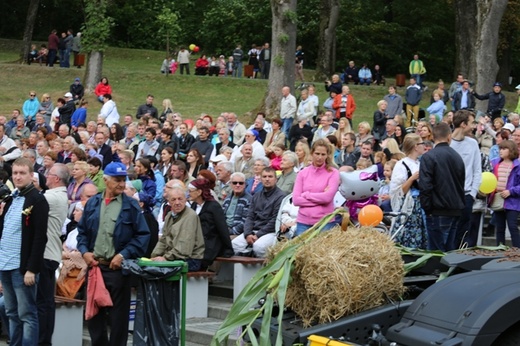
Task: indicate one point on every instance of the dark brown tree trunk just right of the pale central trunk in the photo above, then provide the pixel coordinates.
(325, 63)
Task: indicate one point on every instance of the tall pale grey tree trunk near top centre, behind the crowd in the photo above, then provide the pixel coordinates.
(282, 53)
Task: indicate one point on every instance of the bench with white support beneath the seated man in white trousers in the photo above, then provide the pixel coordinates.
(238, 269)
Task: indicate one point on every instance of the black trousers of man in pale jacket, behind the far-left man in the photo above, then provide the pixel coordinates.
(45, 302)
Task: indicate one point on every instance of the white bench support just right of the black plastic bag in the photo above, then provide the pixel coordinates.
(197, 294)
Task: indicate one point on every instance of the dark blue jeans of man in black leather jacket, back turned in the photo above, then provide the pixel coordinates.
(441, 232)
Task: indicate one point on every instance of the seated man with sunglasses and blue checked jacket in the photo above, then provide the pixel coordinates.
(236, 205)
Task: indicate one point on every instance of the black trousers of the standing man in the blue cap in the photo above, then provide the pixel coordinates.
(117, 316)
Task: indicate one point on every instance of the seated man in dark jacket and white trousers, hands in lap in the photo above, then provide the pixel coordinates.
(259, 226)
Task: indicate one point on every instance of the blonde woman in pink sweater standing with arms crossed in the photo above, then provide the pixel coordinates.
(315, 188)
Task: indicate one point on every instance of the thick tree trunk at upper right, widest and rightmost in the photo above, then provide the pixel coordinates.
(477, 26)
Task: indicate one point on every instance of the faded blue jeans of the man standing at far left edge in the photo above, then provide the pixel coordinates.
(20, 307)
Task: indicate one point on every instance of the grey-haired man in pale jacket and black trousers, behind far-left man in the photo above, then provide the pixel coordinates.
(56, 197)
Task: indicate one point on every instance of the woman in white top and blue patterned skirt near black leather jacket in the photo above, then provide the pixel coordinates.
(404, 194)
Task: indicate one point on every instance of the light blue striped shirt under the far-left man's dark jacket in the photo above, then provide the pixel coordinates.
(11, 242)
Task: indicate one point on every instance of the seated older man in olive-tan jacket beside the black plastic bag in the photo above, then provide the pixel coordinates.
(182, 237)
